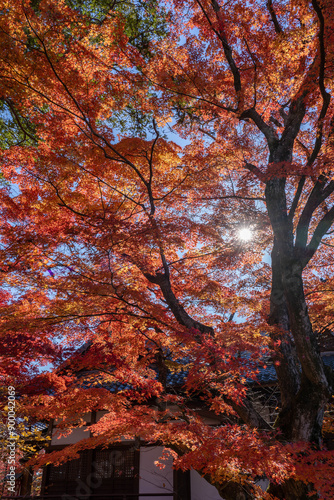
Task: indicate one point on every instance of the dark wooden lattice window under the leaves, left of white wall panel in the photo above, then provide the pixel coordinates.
(94, 475)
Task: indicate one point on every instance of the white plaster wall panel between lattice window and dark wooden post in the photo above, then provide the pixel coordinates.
(151, 478)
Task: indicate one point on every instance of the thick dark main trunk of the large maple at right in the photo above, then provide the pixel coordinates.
(303, 384)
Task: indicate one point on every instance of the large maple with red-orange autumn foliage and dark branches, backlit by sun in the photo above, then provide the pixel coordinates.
(114, 233)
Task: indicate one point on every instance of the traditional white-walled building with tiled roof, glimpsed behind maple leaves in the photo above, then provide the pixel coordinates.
(129, 469)
